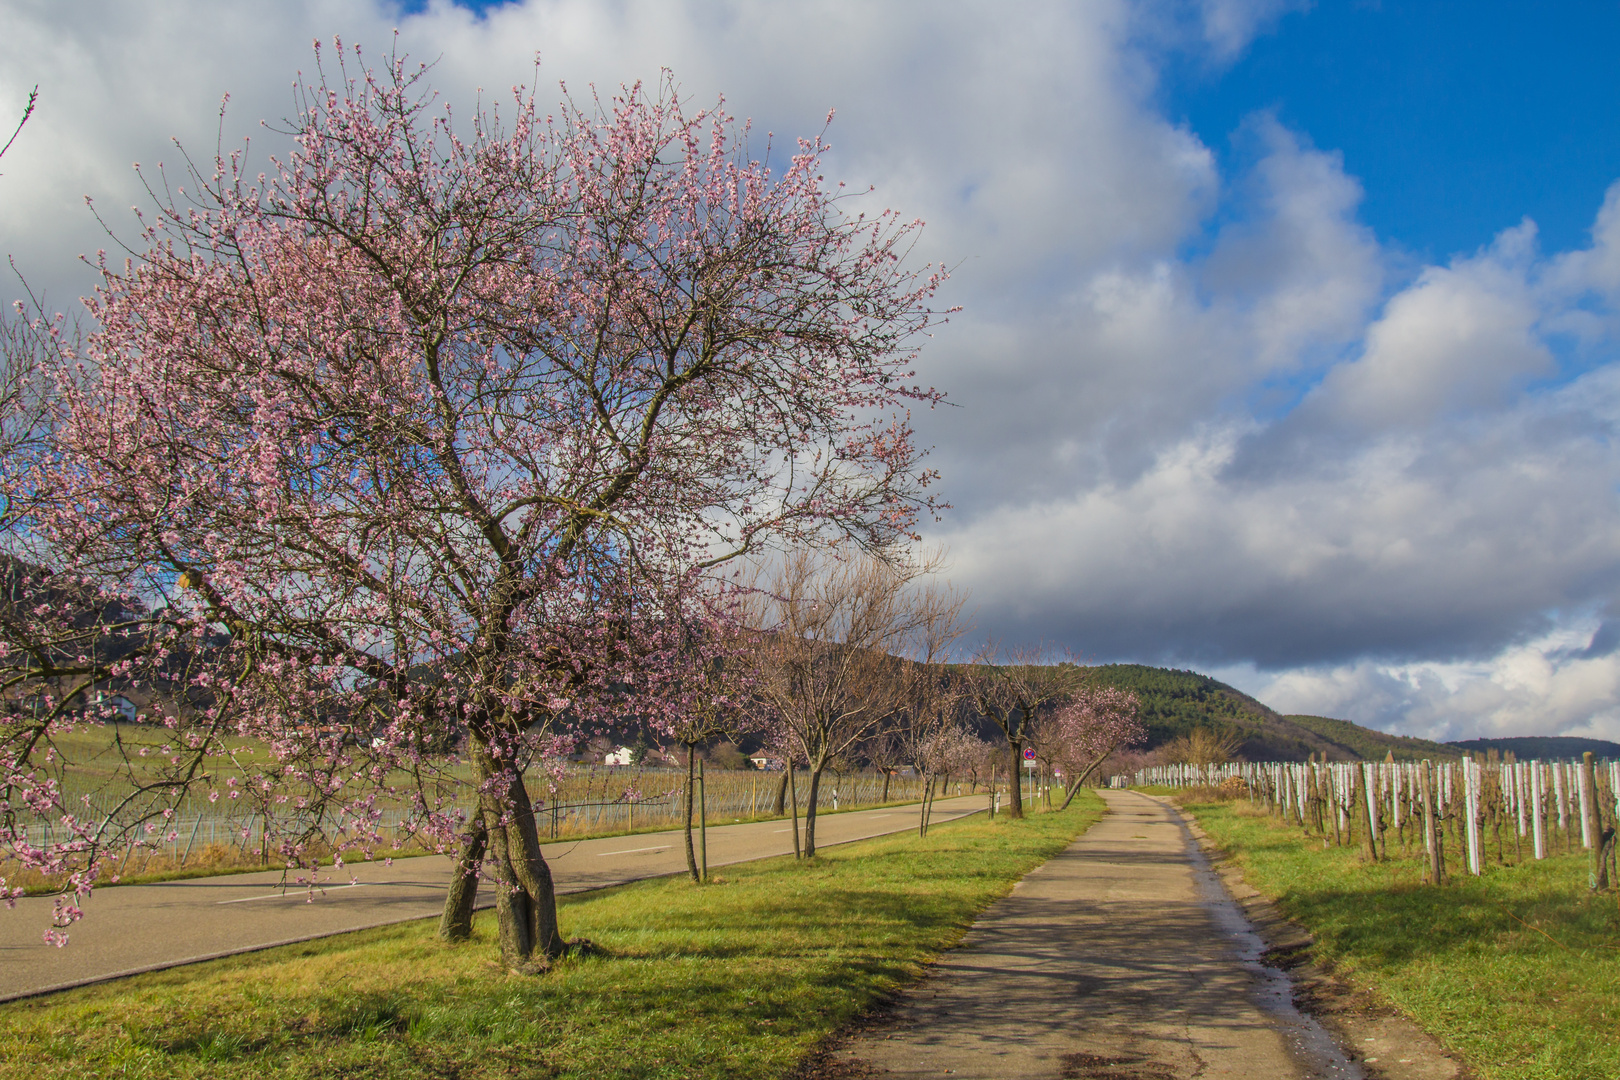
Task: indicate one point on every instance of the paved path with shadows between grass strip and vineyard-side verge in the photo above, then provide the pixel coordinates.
(1120, 959)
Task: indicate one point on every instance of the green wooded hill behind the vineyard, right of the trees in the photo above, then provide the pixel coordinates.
(1175, 702)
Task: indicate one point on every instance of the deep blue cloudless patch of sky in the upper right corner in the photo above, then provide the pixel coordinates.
(1459, 119)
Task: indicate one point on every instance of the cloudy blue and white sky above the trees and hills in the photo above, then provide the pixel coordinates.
(1289, 344)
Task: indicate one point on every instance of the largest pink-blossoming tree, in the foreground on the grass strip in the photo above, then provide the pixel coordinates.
(414, 436)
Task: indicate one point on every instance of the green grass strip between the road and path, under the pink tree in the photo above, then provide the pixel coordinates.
(738, 979)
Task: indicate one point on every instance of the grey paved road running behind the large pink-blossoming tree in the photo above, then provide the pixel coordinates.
(143, 929)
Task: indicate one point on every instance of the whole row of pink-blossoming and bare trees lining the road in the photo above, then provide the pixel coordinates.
(435, 449)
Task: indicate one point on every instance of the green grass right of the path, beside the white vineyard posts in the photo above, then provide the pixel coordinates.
(1517, 971)
